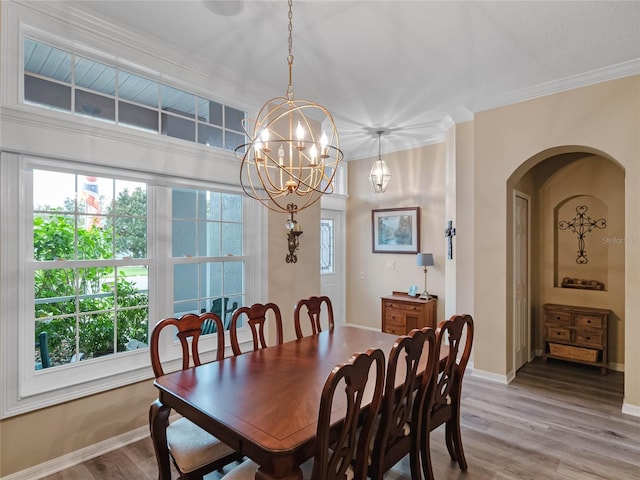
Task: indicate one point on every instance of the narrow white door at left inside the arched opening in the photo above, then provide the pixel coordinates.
(521, 263)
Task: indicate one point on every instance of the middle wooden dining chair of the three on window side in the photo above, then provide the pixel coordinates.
(256, 316)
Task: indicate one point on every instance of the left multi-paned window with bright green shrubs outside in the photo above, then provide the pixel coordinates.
(88, 297)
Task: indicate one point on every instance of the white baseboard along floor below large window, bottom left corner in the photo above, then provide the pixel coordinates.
(74, 458)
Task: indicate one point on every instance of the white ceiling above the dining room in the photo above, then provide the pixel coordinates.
(398, 66)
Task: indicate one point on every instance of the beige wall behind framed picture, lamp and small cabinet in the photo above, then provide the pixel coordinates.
(417, 180)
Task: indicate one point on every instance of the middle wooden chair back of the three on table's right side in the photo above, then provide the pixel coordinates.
(411, 363)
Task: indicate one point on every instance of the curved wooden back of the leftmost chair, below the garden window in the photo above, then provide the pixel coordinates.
(189, 329)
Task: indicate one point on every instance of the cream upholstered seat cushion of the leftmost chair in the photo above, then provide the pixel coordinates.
(192, 447)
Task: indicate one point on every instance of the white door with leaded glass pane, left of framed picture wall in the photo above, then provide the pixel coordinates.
(332, 260)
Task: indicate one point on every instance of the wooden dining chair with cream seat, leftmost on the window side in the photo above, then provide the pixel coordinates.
(194, 451)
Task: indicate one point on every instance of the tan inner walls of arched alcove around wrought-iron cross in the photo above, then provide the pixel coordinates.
(551, 179)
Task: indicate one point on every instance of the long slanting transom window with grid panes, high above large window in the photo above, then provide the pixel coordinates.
(64, 81)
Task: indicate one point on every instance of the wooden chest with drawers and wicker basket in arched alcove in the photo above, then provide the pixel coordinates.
(577, 334)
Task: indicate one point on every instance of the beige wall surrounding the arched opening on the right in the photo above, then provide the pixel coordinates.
(602, 119)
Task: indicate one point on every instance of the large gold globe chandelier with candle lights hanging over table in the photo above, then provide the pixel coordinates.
(292, 153)
